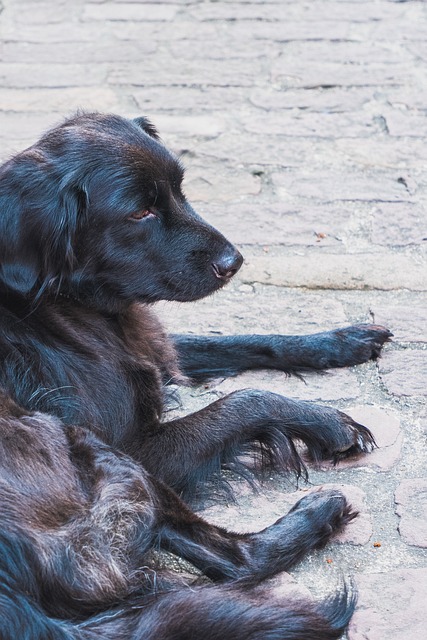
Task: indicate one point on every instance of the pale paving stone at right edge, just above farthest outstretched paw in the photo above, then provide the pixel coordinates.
(408, 325)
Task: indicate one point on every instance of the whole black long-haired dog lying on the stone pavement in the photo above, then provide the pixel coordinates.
(93, 228)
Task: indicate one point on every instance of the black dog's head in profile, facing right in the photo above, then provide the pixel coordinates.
(95, 210)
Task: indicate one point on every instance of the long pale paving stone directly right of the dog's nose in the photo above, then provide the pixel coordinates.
(350, 271)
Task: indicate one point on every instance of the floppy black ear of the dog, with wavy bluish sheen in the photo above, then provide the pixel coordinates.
(39, 216)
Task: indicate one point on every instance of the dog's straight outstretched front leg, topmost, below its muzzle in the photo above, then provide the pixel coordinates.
(203, 357)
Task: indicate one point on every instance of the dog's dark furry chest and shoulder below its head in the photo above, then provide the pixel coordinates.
(77, 366)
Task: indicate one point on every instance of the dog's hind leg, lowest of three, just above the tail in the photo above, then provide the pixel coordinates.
(250, 558)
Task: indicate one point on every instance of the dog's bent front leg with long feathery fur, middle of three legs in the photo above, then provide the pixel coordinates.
(188, 450)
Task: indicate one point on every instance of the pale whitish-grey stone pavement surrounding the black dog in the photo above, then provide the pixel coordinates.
(303, 127)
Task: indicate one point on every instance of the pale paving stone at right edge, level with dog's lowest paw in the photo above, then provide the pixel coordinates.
(411, 501)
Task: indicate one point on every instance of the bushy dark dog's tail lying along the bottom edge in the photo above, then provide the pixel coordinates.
(225, 613)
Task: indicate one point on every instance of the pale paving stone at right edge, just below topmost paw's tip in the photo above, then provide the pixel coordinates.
(404, 373)
